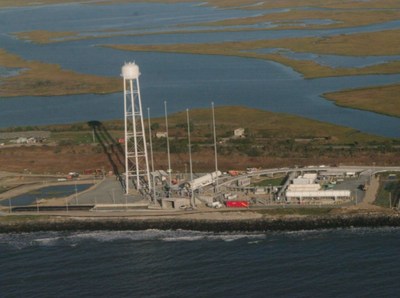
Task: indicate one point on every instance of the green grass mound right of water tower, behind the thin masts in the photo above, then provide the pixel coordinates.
(258, 122)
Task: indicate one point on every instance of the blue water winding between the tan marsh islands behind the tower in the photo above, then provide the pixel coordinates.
(185, 81)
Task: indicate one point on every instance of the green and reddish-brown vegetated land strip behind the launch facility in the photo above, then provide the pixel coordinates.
(273, 140)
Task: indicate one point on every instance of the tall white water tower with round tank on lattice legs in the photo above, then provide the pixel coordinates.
(136, 161)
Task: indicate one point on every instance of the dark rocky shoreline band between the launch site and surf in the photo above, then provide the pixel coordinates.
(249, 224)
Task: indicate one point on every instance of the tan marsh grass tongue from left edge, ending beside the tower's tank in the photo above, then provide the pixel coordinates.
(43, 79)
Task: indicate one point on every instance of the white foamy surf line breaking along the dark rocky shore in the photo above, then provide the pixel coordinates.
(72, 239)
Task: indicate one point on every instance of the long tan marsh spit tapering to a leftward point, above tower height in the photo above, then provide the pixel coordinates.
(361, 44)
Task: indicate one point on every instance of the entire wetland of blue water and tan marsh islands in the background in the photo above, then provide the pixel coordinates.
(233, 68)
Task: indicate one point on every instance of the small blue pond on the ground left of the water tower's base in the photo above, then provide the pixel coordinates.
(59, 191)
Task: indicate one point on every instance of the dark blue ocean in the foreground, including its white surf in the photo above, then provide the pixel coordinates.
(326, 263)
